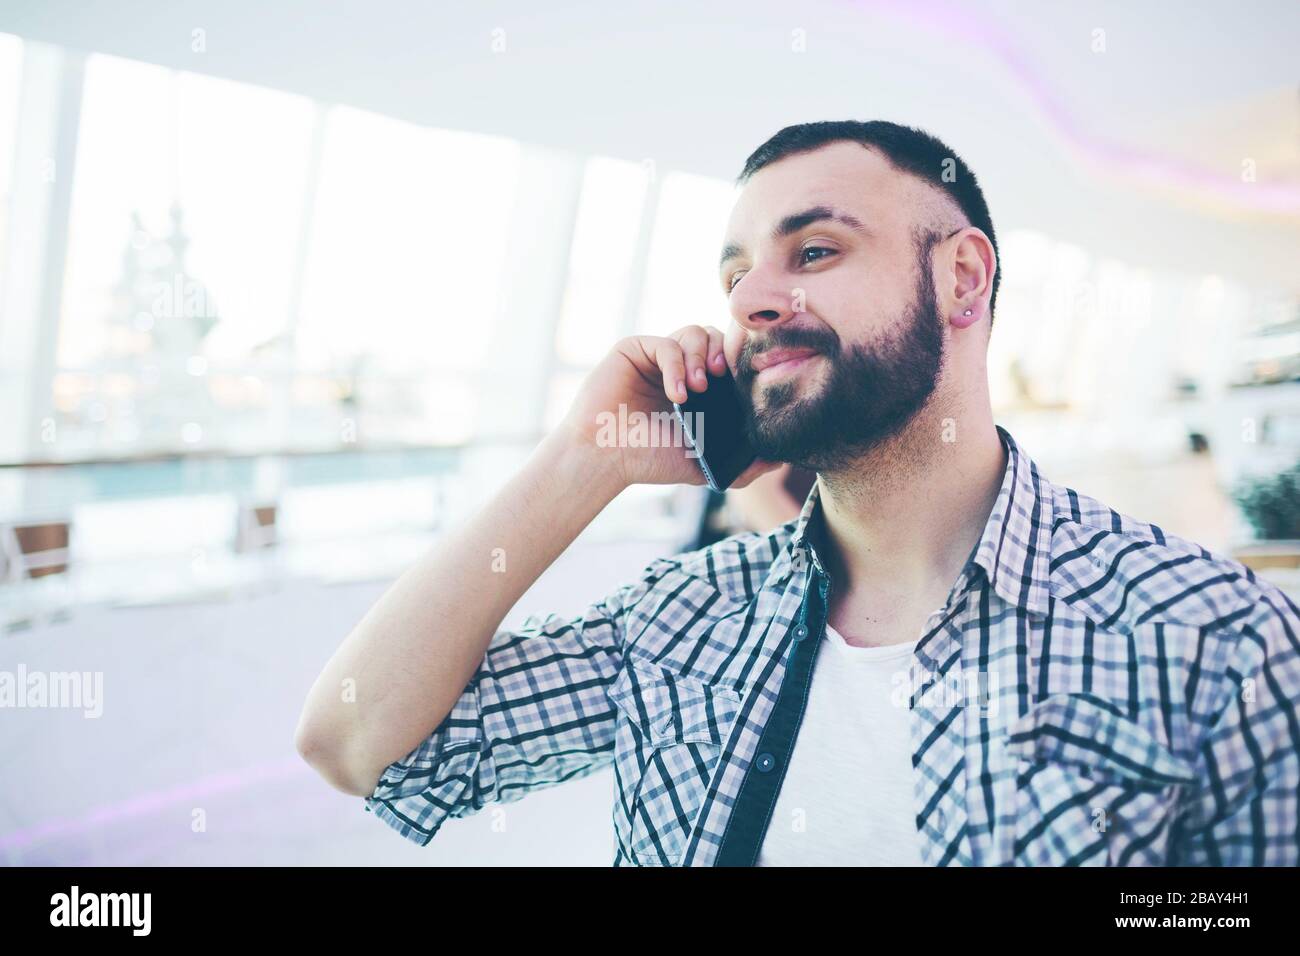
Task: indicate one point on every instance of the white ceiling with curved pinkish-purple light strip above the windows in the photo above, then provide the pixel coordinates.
(1136, 152)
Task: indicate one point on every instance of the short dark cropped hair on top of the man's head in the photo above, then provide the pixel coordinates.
(908, 150)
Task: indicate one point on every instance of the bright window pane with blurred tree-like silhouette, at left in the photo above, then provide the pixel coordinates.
(181, 258)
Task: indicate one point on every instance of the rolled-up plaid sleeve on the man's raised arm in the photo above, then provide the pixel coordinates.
(536, 713)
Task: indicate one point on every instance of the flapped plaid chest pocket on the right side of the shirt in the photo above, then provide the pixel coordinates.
(1094, 788)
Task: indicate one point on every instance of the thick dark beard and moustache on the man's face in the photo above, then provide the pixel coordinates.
(872, 392)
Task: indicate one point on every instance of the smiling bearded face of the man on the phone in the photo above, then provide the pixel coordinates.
(838, 340)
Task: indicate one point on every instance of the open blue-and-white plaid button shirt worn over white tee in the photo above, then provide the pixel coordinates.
(1094, 691)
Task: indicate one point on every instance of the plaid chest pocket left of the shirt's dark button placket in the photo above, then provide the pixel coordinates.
(670, 737)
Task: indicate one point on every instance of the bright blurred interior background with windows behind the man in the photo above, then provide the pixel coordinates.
(288, 289)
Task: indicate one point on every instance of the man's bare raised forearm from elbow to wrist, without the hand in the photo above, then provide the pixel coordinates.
(414, 654)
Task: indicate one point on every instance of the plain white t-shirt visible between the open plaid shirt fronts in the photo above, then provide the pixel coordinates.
(847, 799)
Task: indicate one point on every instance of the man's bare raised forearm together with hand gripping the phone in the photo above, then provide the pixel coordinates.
(409, 663)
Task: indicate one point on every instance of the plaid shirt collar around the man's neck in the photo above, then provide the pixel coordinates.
(1015, 551)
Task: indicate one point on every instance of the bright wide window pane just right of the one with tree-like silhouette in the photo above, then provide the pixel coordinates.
(405, 266)
